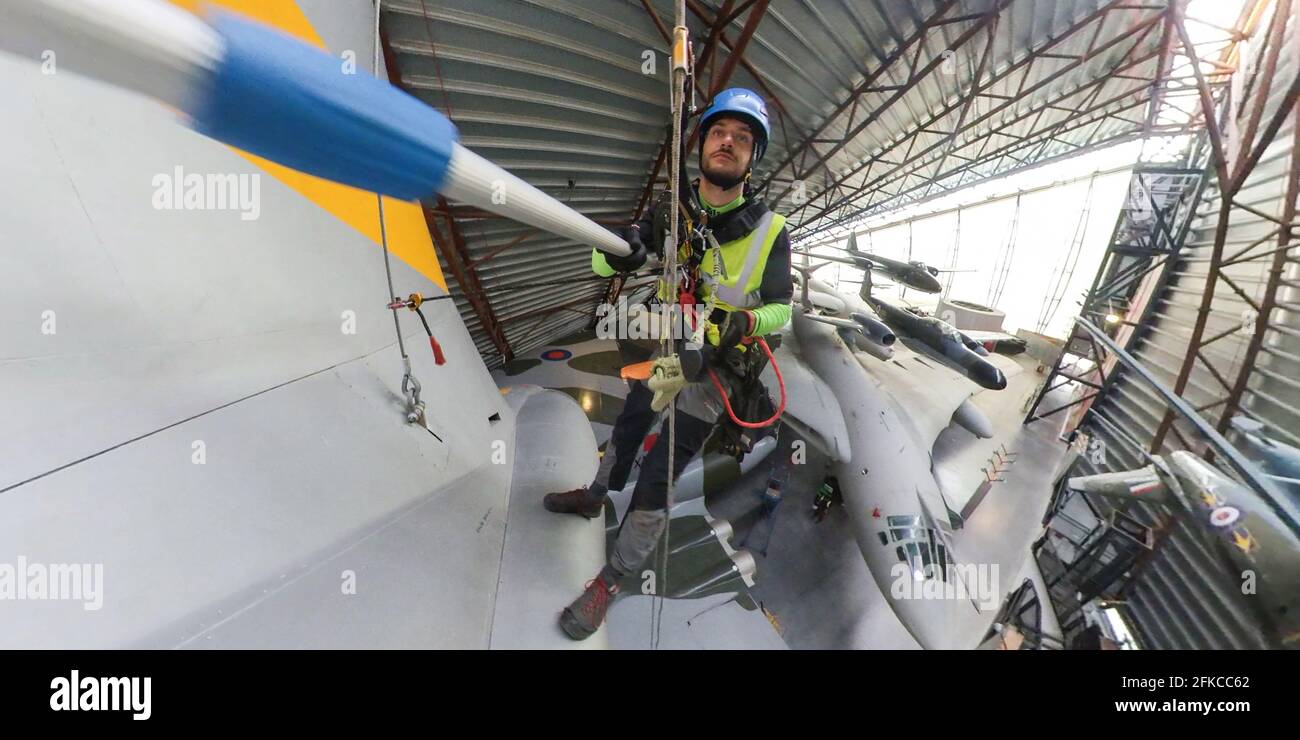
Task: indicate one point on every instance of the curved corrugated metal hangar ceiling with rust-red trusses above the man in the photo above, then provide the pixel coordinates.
(556, 92)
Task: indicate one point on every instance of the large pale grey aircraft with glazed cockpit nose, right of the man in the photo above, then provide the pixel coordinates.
(877, 406)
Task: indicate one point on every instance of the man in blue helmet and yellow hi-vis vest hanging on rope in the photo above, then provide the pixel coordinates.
(752, 298)
